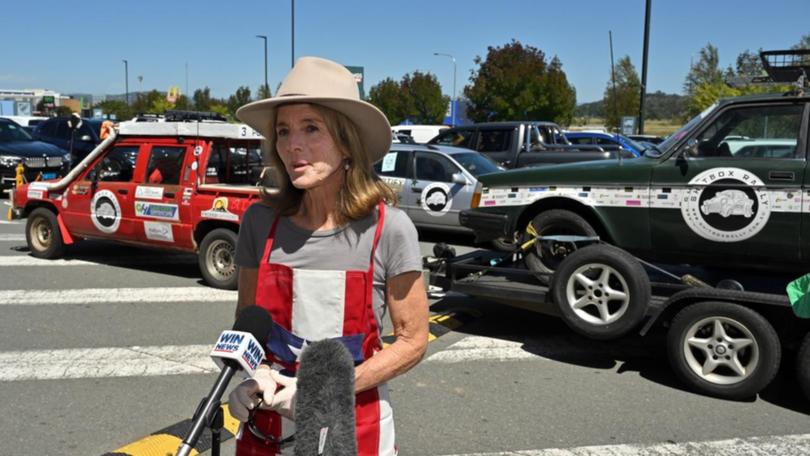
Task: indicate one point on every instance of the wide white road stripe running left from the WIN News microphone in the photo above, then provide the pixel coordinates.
(105, 362)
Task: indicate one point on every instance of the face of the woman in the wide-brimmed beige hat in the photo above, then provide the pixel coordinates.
(305, 146)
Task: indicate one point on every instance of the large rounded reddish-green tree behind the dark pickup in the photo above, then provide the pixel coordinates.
(514, 82)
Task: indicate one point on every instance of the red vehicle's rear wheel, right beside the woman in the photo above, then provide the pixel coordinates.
(217, 259)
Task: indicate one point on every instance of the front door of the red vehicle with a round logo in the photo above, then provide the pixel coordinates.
(99, 204)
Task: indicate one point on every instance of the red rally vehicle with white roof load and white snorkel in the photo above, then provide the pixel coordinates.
(171, 185)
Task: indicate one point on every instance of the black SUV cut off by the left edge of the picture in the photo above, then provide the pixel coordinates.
(40, 160)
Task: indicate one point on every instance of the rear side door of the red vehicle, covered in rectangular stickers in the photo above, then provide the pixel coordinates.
(159, 193)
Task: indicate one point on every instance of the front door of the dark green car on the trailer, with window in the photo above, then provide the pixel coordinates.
(733, 192)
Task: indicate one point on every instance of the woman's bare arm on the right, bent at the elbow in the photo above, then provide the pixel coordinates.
(408, 307)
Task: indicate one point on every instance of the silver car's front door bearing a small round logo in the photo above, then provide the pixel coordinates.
(438, 198)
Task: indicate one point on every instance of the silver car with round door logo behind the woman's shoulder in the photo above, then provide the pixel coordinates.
(434, 183)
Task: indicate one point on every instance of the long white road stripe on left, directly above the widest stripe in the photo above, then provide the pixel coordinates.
(115, 295)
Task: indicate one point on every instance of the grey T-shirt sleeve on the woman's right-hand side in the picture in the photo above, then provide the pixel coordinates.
(399, 243)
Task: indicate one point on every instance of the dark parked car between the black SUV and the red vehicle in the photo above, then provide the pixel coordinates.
(56, 131)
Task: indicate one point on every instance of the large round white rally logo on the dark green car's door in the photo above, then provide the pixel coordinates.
(726, 205)
